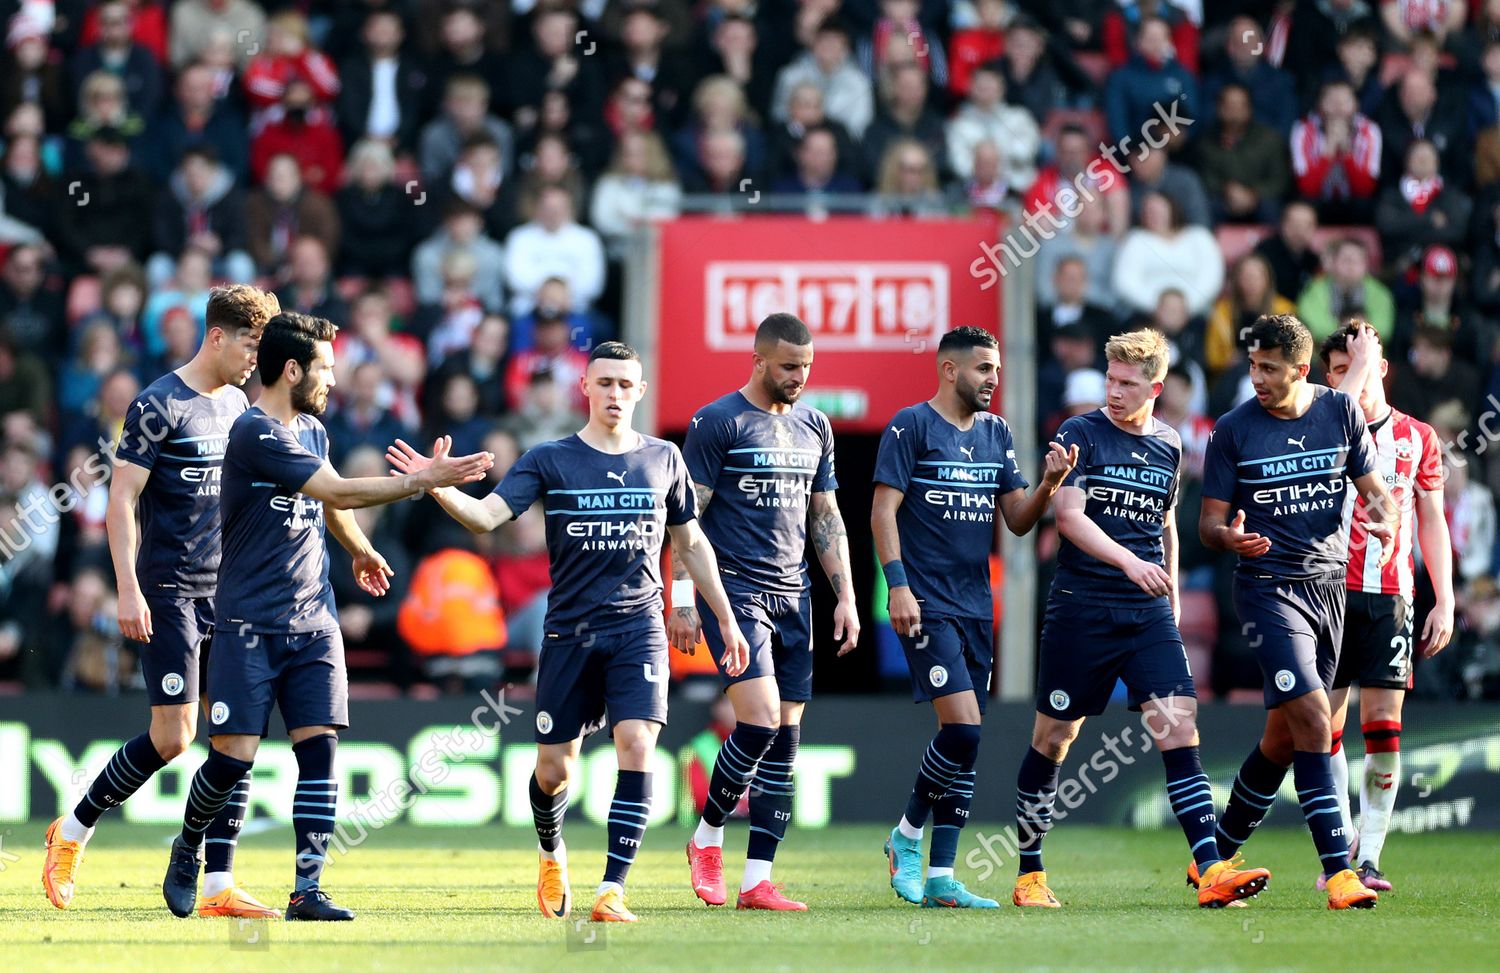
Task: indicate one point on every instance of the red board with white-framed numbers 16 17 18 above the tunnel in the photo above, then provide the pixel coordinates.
(877, 295)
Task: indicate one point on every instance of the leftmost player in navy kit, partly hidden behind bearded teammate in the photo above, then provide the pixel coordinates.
(164, 540)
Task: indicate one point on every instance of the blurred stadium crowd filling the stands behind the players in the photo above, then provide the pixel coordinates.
(454, 184)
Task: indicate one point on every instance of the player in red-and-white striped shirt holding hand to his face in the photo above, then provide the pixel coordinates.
(1378, 624)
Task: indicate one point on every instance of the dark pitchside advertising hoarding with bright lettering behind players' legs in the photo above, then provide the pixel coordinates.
(466, 762)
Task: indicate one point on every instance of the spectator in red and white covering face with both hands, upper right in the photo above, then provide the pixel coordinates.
(1336, 158)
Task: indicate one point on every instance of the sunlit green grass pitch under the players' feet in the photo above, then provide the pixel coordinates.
(437, 900)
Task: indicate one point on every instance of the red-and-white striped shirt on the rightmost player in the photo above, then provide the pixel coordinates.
(1409, 461)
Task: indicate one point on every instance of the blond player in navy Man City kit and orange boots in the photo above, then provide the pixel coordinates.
(1114, 615)
